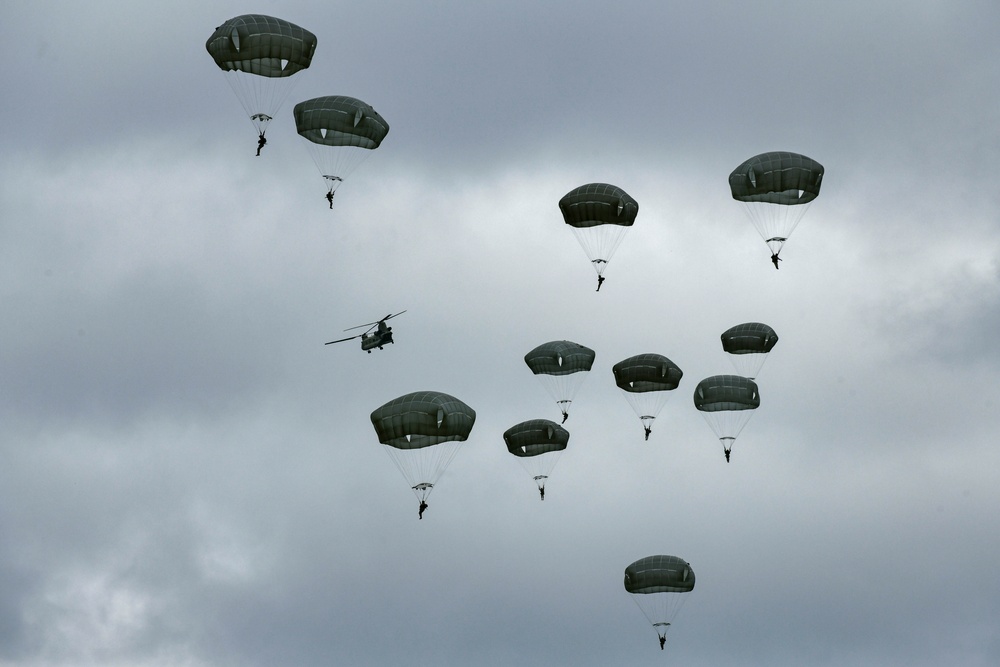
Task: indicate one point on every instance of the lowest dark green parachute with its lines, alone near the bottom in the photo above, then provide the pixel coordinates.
(658, 585)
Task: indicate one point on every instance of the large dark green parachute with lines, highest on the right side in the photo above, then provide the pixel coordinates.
(776, 189)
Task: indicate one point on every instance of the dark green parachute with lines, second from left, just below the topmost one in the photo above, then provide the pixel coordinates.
(342, 132)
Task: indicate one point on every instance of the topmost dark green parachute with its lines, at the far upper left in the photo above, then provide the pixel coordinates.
(259, 54)
